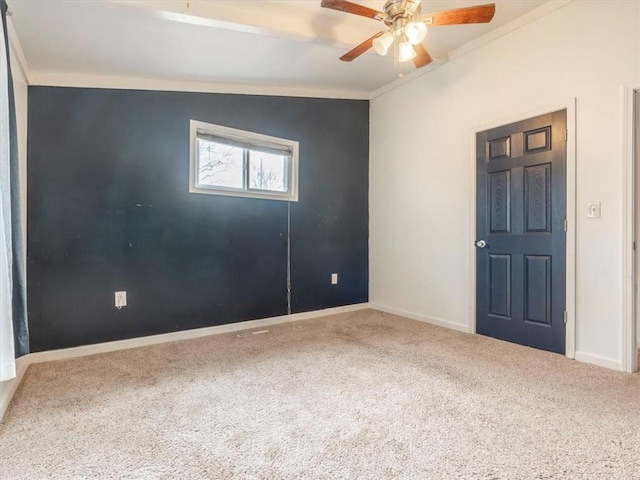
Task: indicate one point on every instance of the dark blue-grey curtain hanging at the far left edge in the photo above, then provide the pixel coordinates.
(19, 300)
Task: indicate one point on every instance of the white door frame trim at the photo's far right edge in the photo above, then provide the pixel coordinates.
(629, 186)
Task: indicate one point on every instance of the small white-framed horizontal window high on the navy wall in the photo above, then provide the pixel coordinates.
(227, 161)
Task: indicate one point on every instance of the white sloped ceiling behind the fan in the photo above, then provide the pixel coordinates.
(282, 44)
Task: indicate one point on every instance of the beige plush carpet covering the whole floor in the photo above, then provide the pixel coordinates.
(363, 395)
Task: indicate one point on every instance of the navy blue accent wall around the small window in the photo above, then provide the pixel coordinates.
(109, 209)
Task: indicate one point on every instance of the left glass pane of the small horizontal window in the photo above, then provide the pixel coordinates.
(219, 165)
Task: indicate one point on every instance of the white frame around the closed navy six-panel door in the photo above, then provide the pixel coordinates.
(570, 106)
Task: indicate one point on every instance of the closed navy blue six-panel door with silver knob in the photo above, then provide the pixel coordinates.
(521, 224)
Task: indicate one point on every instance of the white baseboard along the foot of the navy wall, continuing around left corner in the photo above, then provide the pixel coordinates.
(8, 389)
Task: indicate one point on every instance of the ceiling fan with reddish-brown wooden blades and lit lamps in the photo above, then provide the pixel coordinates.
(406, 27)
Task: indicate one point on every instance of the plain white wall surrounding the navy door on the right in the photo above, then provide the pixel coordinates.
(422, 167)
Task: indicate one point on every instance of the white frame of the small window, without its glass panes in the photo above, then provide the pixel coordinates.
(247, 139)
